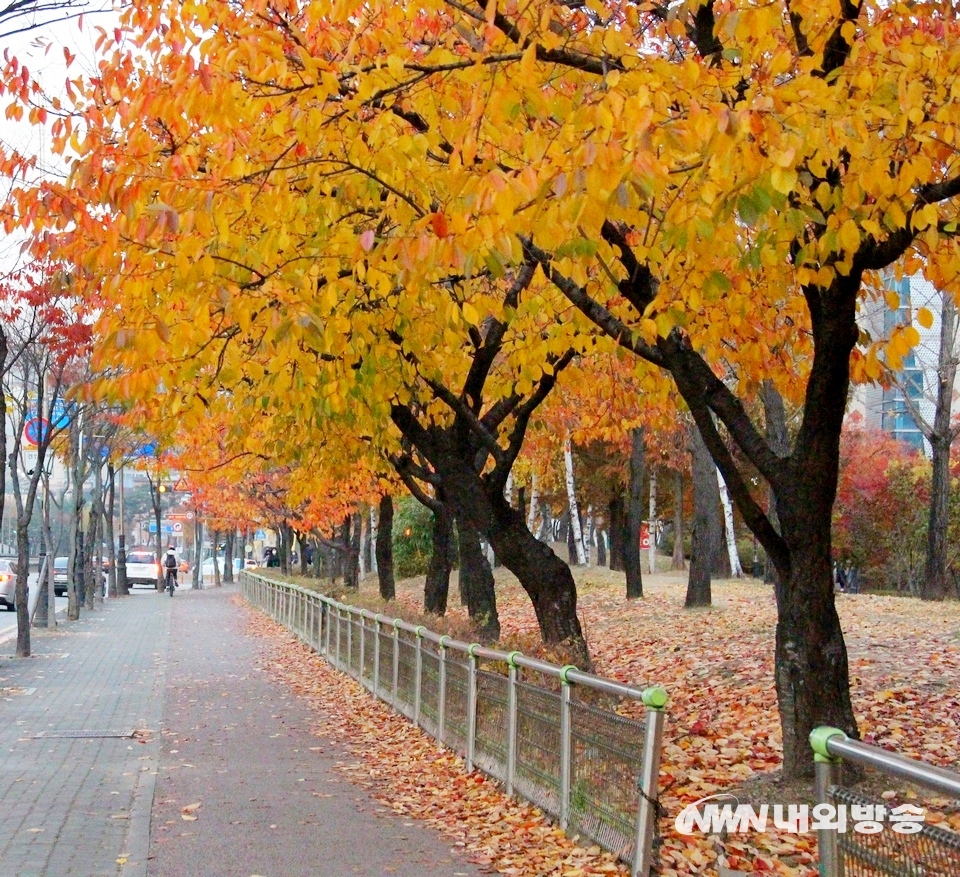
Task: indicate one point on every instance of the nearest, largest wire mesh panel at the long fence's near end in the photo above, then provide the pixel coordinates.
(606, 754)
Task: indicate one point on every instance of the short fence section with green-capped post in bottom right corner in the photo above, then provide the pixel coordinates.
(851, 835)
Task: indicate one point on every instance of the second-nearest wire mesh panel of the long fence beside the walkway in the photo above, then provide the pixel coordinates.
(537, 775)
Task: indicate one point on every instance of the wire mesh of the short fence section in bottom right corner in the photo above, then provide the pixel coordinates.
(931, 852)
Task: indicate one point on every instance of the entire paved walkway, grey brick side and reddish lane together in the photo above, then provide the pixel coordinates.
(83, 798)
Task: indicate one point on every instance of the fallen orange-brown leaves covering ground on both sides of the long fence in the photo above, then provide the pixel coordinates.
(722, 733)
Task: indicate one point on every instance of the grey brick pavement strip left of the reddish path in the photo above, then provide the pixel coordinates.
(80, 807)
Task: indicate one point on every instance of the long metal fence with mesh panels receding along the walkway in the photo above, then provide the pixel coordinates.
(548, 733)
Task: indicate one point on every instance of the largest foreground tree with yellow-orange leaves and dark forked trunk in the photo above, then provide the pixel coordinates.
(709, 184)
